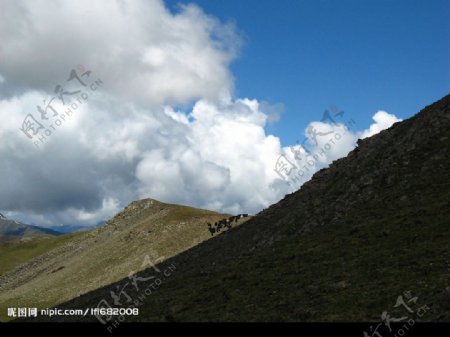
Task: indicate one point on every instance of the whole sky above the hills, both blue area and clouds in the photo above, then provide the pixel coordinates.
(130, 140)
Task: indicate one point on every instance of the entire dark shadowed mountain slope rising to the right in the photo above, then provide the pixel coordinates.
(370, 228)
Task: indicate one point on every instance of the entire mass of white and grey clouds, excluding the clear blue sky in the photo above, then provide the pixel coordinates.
(130, 139)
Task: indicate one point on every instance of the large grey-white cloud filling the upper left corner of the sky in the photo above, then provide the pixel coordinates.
(140, 49)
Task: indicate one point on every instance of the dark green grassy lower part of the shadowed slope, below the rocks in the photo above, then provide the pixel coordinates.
(341, 272)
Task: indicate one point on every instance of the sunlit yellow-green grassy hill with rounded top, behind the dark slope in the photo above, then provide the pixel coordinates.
(105, 255)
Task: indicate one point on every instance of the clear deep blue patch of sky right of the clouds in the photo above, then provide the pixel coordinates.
(362, 56)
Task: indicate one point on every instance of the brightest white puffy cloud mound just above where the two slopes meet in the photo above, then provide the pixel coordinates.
(223, 159)
